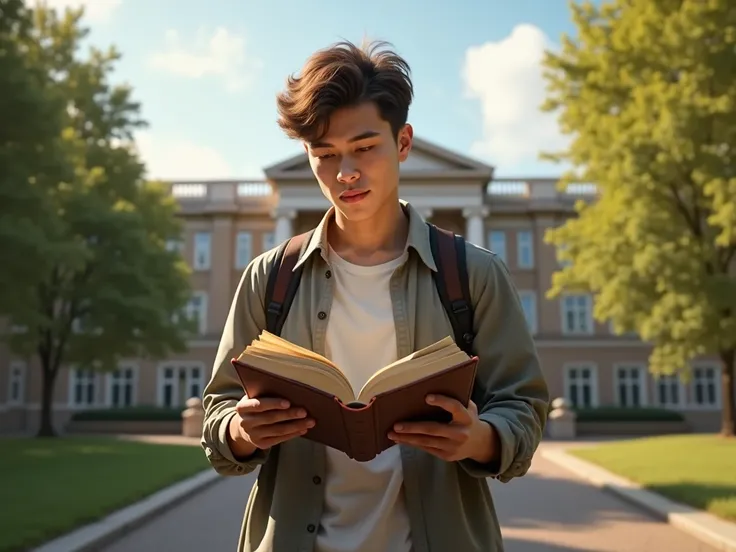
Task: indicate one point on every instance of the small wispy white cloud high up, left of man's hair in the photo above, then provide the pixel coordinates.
(221, 54)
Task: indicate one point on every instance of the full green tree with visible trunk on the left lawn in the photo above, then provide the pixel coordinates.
(109, 287)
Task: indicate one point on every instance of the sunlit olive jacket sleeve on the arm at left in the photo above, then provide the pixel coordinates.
(244, 323)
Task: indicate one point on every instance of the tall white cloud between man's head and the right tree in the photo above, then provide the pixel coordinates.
(506, 78)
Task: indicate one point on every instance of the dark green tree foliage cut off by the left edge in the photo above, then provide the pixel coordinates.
(29, 135)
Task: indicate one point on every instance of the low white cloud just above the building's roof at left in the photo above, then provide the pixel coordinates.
(170, 158)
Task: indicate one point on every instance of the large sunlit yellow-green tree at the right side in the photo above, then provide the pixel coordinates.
(647, 93)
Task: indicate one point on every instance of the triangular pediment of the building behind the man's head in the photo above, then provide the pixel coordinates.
(425, 160)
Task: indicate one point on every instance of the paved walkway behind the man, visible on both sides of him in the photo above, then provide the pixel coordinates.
(548, 510)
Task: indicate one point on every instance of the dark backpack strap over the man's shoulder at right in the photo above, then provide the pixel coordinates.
(451, 280)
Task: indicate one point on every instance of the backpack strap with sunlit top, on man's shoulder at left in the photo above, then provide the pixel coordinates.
(283, 281)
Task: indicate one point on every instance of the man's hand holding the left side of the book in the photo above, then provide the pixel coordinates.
(263, 423)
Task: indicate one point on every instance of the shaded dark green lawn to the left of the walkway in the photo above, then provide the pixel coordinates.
(50, 486)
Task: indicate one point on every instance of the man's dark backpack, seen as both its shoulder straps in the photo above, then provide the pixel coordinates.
(451, 281)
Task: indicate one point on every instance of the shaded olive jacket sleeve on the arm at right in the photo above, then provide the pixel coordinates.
(511, 392)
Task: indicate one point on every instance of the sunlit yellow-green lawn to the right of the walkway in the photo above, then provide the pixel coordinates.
(698, 470)
